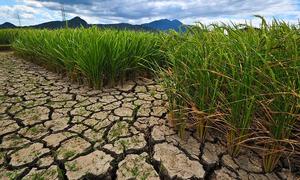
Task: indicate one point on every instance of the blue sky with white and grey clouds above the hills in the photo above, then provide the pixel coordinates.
(142, 11)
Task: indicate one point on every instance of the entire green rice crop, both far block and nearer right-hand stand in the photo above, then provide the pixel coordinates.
(237, 80)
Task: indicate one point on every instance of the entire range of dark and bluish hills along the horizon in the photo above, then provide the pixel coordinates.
(159, 25)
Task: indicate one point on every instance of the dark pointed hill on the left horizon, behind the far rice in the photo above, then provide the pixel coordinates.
(72, 23)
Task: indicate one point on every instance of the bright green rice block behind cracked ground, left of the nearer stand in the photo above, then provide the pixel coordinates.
(99, 57)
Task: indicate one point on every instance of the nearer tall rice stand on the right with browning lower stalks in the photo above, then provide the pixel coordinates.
(247, 77)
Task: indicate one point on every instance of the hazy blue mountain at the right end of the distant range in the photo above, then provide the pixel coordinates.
(164, 25)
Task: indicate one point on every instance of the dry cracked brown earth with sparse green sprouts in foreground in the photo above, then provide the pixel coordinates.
(53, 129)
